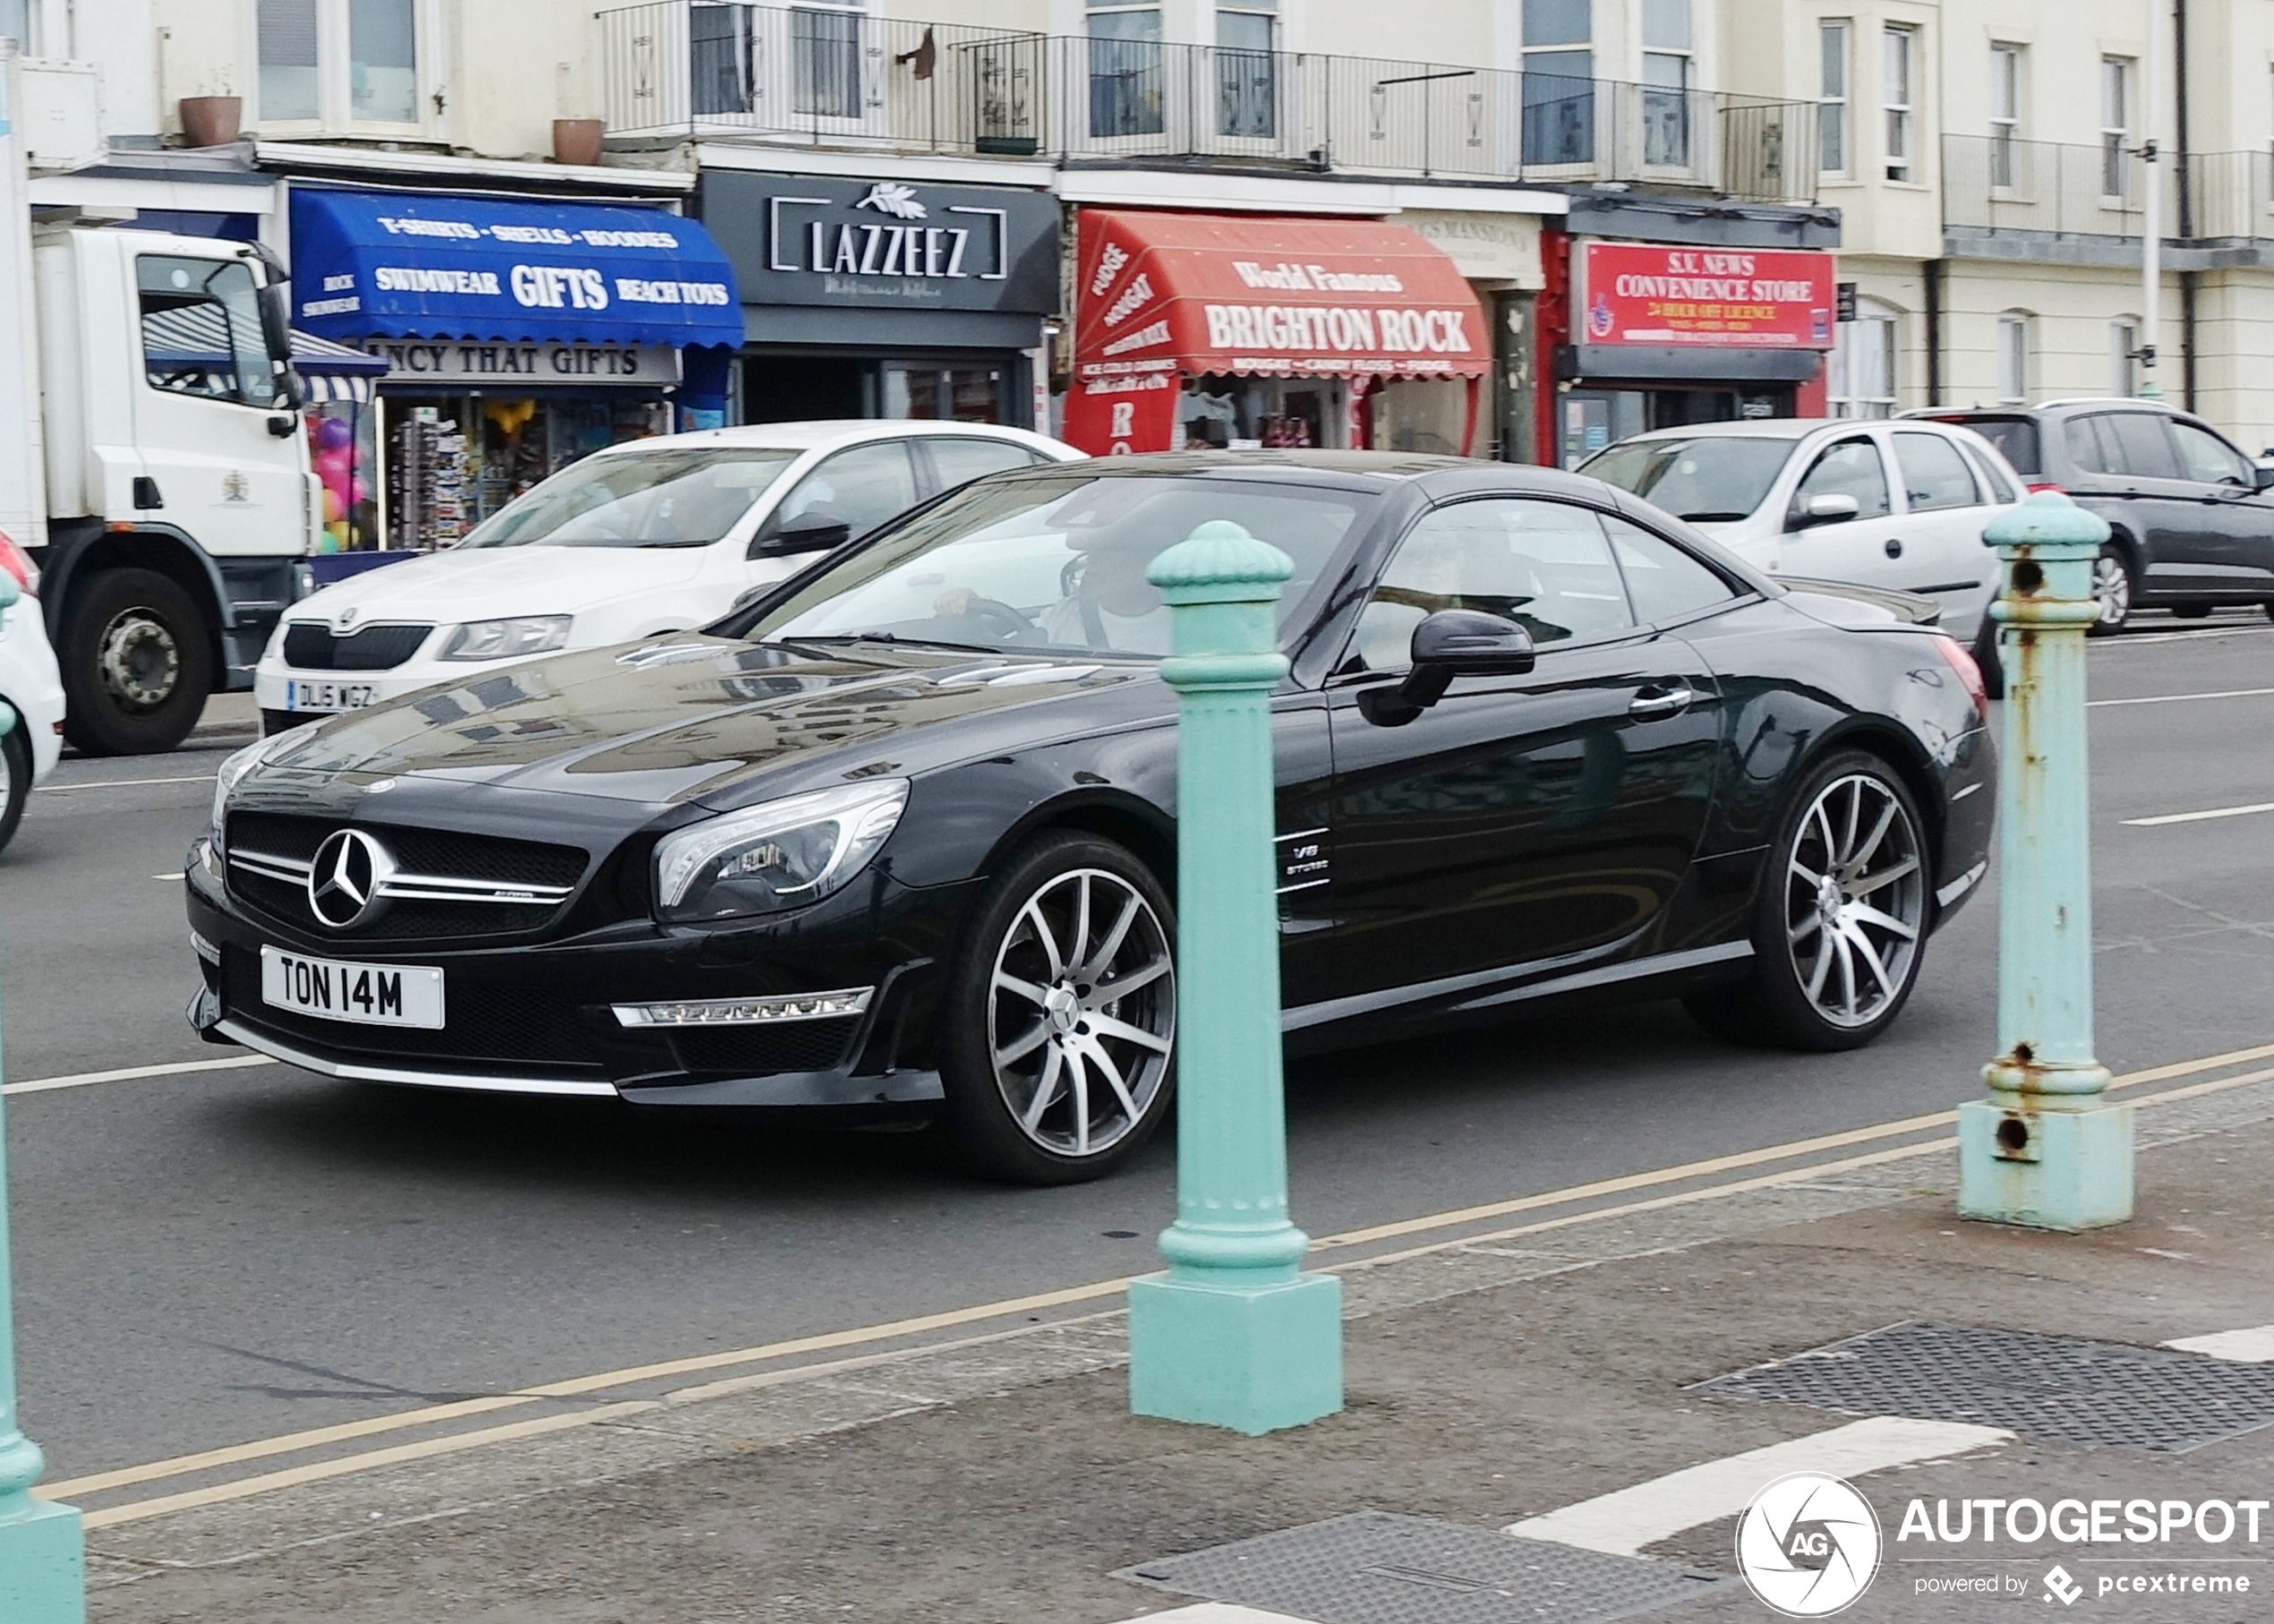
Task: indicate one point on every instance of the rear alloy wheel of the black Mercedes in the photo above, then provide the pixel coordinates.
(1854, 900)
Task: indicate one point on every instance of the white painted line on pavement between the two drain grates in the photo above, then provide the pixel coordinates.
(1632, 1518)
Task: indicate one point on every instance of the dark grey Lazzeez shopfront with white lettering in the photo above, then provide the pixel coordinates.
(870, 299)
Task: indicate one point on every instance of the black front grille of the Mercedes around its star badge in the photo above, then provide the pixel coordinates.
(417, 850)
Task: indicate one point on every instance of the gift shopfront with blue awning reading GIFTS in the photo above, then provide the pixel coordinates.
(517, 340)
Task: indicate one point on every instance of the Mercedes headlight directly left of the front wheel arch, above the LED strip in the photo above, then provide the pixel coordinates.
(781, 854)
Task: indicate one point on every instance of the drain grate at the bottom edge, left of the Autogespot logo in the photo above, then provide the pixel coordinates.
(1375, 1568)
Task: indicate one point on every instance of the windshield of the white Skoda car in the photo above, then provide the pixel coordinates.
(640, 499)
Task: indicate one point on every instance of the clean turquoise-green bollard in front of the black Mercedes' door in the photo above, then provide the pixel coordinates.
(1234, 1334)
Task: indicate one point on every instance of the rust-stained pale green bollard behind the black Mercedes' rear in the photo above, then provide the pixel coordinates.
(2045, 1150)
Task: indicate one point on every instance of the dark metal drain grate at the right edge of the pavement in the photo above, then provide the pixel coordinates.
(2066, 1389)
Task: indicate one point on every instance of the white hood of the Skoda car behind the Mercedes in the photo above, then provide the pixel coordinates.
(490, 583)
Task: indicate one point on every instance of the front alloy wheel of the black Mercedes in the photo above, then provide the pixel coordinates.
(1081, 1013)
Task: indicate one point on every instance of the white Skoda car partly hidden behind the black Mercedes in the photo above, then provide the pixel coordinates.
(656, 536)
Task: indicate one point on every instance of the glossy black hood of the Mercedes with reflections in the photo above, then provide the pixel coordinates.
(692, 718)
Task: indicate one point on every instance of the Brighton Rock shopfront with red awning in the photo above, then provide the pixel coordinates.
(1211, 331)
